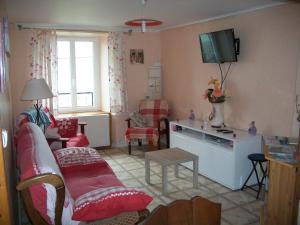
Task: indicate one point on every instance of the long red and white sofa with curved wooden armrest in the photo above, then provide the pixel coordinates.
(92, 190)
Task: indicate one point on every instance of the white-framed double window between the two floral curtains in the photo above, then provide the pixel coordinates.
(79, 75)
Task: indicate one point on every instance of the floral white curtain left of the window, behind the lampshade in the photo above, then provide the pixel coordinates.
(43, 61)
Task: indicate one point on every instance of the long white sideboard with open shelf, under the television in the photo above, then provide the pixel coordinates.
(222, 157)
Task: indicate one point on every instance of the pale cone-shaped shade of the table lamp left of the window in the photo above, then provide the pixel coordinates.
(36, 89)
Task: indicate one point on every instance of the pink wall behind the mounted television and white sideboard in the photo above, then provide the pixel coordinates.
(261, 83)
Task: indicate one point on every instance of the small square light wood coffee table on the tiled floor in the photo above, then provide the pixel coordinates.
(172, 156)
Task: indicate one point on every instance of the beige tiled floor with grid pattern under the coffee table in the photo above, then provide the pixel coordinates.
(238, 207)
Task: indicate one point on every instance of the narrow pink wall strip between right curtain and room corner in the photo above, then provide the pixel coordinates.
(137, 75)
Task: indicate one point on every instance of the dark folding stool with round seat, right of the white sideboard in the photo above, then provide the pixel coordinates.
(260, 159)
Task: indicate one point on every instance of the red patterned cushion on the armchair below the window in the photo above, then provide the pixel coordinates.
(67, 127)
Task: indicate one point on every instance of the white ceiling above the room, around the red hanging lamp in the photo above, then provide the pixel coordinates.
(111, 14)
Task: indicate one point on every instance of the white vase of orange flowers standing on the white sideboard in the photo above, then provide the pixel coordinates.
(216, 97)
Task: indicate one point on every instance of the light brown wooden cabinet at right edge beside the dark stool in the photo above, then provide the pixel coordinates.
(281, 207)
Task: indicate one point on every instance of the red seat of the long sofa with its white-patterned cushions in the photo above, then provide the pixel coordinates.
(102, 195)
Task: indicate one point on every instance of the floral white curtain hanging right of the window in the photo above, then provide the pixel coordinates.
(116, 70)
